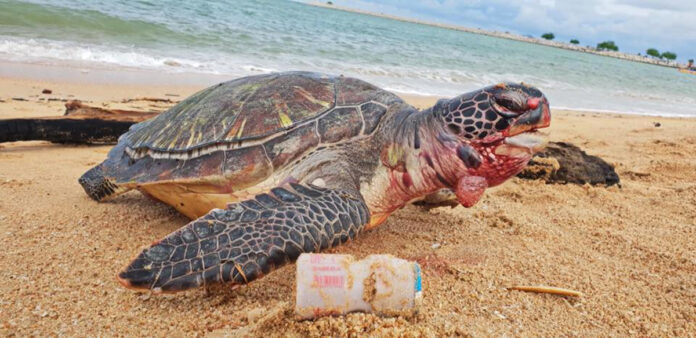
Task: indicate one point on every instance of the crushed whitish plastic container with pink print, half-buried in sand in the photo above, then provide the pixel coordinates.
(330, 284)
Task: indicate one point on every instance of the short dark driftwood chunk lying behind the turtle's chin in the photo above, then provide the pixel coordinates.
(563, 163)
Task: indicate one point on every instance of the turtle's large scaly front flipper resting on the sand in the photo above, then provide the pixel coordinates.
(249, 239)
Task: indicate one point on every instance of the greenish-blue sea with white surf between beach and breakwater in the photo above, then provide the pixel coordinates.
(237, 38)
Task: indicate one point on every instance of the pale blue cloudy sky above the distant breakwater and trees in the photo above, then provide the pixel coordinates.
(635, 25)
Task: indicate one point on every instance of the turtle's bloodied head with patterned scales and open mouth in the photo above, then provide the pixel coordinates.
(493, 132)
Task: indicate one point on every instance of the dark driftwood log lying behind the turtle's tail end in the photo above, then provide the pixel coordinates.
(80, 124)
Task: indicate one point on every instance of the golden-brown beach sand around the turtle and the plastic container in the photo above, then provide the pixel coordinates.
(630, 250)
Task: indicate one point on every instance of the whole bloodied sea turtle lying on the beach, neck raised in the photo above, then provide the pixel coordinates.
(274, 165)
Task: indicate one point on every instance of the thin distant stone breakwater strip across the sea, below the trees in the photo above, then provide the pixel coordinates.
(509, 36)
